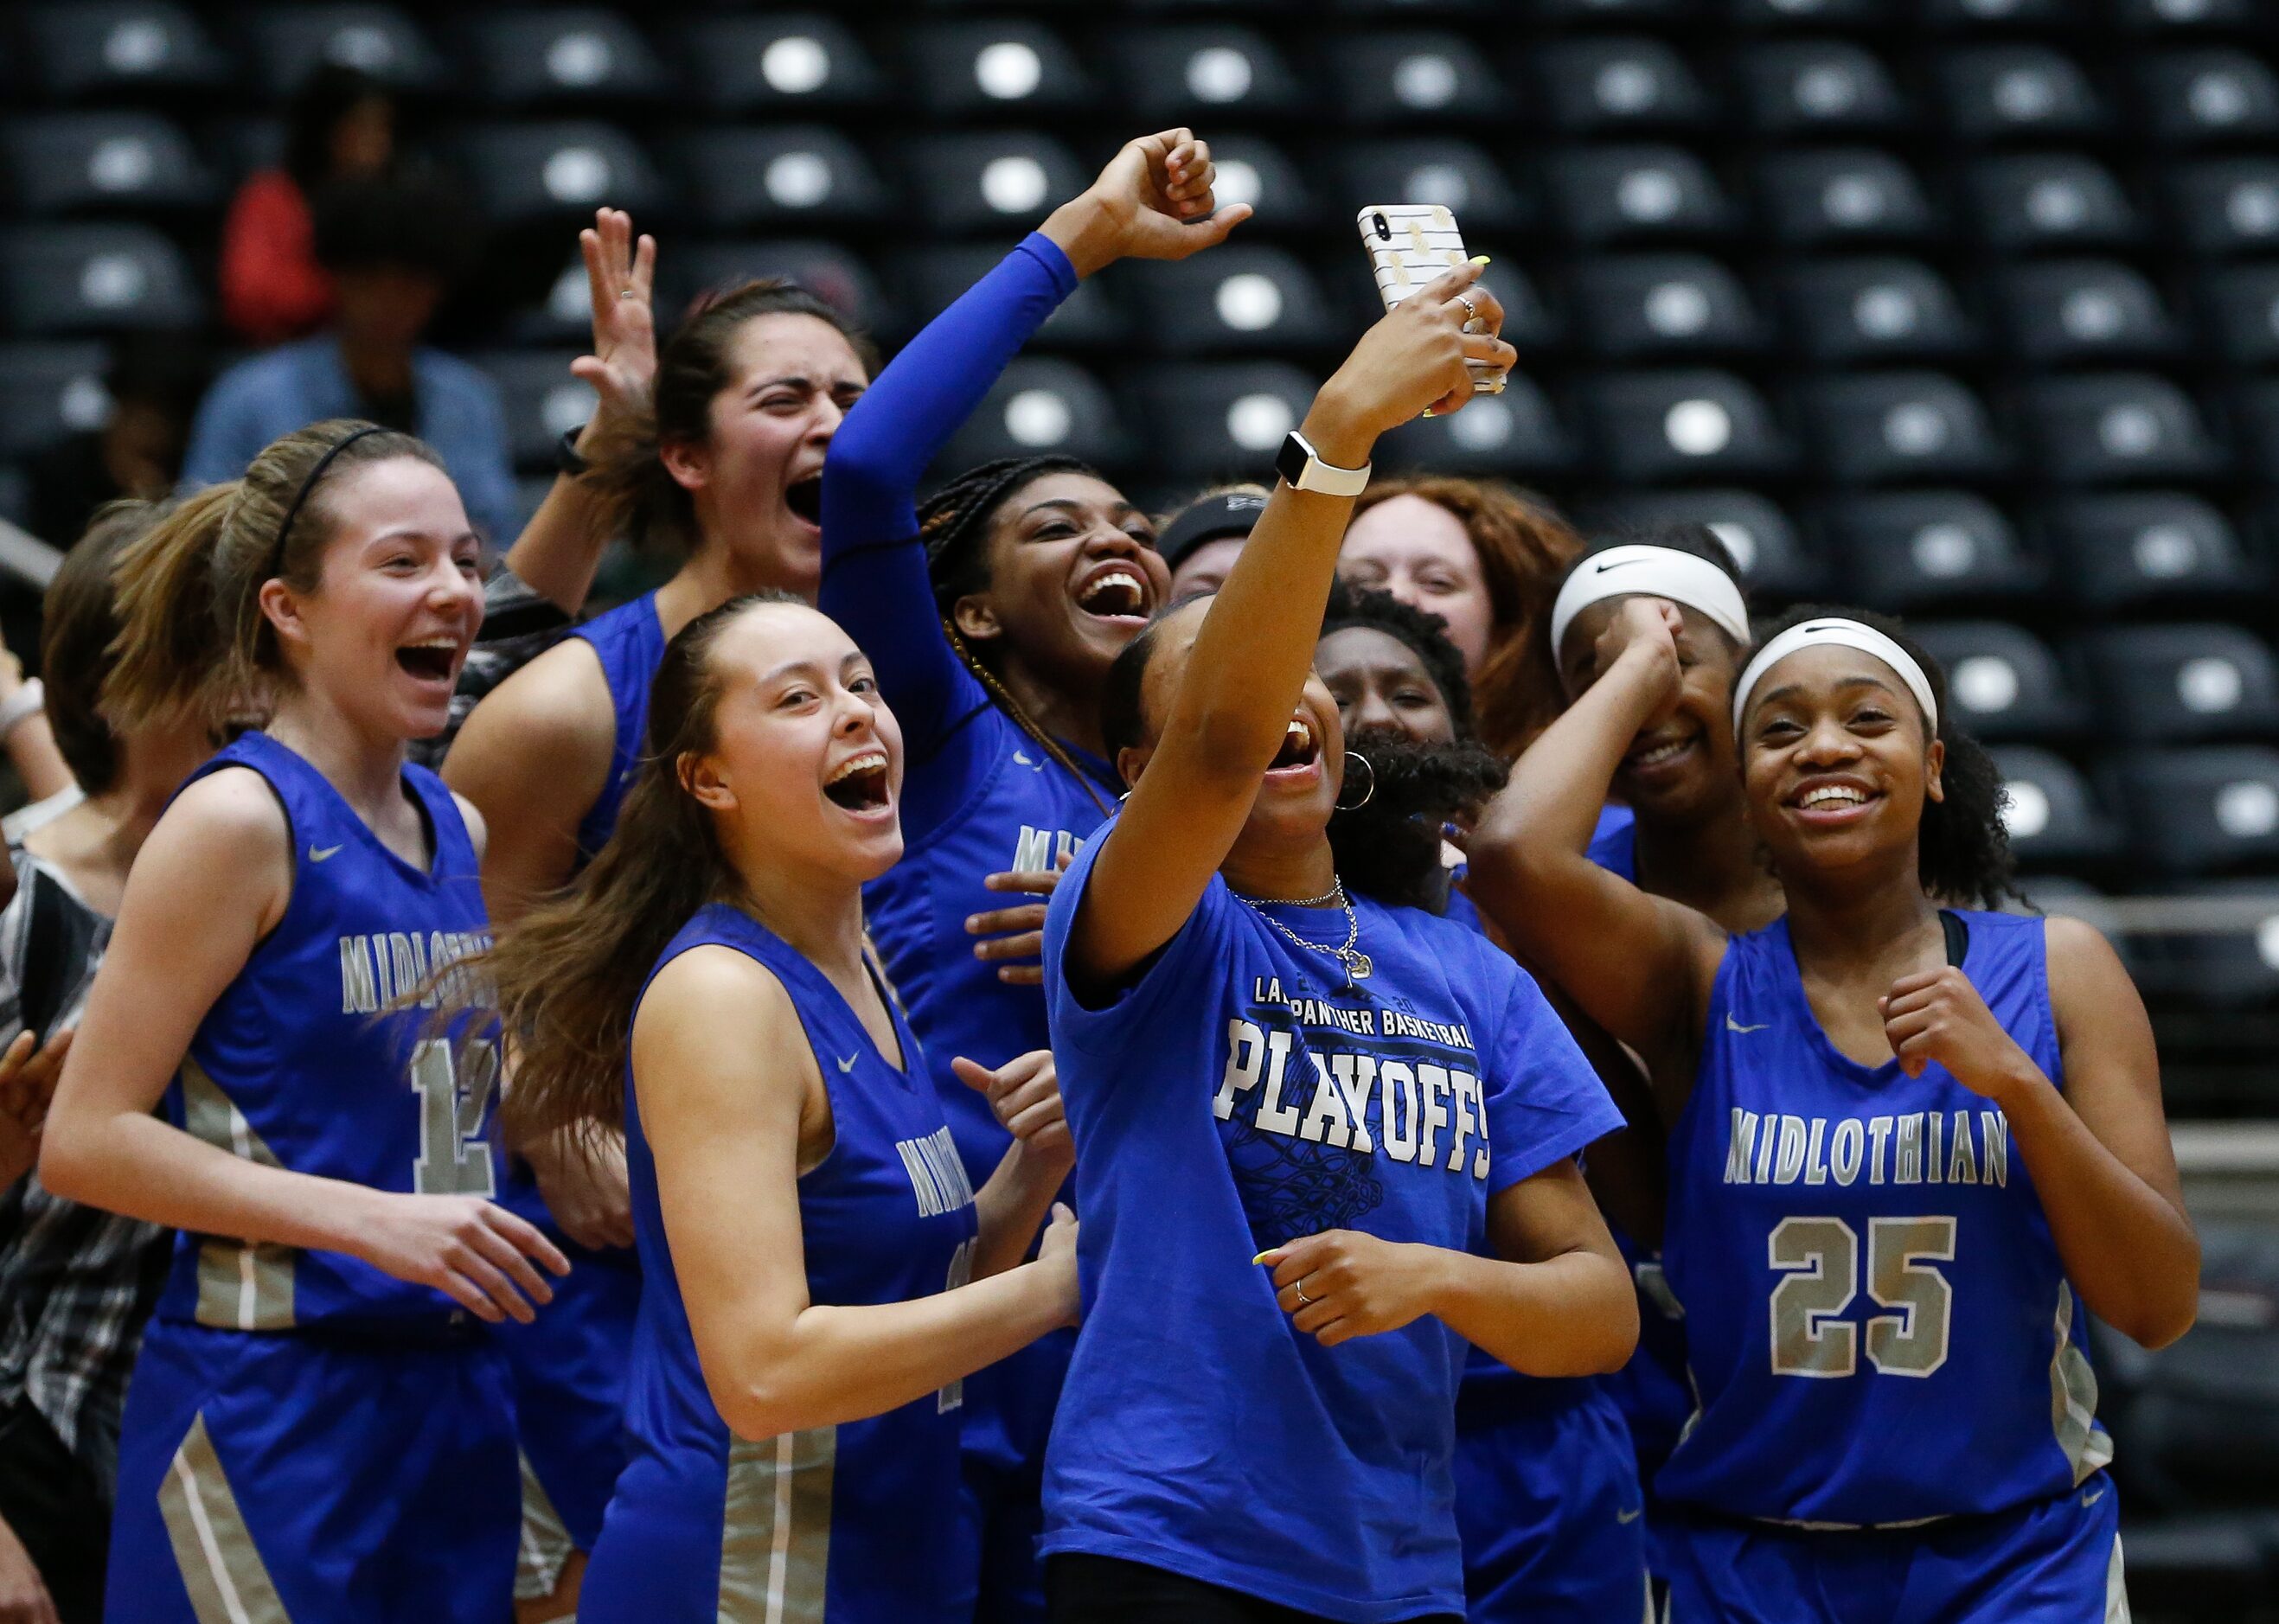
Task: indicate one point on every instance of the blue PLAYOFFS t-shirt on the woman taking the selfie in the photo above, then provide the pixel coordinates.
(1236, 1097)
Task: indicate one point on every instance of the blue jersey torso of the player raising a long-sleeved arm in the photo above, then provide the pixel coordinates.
(1022, 812)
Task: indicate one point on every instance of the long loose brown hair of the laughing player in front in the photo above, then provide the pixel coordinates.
(566, 974)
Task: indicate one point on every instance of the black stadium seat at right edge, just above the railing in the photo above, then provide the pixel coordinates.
(2198, 812)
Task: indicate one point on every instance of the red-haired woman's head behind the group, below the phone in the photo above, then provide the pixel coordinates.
(1482, 557)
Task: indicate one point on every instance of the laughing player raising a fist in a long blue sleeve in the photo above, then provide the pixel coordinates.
(995, 614)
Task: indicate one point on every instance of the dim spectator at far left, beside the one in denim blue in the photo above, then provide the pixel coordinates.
(154, 384)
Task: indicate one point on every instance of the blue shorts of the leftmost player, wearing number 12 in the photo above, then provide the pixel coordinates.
(270, 1477)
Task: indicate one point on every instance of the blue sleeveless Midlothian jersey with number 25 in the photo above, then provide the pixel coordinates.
(1877, 1315)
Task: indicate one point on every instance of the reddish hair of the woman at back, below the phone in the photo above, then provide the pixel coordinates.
(1524, 548)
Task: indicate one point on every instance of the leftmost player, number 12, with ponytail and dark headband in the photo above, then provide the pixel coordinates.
(318, 1425)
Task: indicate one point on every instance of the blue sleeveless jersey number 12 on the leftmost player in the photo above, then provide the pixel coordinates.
(302, 1065)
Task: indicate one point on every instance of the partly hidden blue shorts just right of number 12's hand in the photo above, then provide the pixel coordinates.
(569, 1370)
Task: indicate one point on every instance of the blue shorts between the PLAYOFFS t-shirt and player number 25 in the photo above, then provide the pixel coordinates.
(1549, 1507)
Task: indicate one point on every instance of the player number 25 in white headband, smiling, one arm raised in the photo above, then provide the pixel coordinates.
(1909, 1147)
